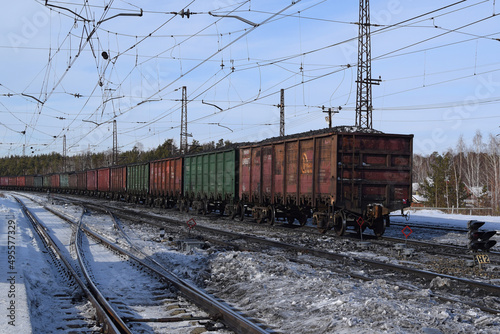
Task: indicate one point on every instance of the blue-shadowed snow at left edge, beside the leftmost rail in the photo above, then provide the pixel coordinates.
(37, 283)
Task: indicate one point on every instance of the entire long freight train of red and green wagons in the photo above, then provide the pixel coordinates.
(336, 177)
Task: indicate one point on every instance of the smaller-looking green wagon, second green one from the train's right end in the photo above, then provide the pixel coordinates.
(138, 183)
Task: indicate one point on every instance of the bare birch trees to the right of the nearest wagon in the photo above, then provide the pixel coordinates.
(466, 176)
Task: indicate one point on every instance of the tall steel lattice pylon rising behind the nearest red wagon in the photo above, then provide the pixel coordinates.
(364, 80)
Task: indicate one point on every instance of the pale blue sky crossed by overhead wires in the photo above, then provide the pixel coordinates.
(70, 70)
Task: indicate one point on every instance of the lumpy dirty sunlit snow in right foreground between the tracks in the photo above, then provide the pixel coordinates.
(299, 299)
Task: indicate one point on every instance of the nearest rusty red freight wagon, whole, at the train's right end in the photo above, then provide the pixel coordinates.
(339, 179)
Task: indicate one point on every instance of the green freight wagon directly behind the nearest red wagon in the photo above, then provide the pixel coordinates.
(210, 180)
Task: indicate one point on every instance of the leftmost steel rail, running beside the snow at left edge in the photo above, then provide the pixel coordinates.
(107, 324)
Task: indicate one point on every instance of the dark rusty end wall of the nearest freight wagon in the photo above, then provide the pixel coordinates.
(374, 169)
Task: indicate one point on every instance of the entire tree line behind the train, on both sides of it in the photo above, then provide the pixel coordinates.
(468, 175)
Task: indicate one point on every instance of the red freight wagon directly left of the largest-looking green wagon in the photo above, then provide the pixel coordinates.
(165, 181)
